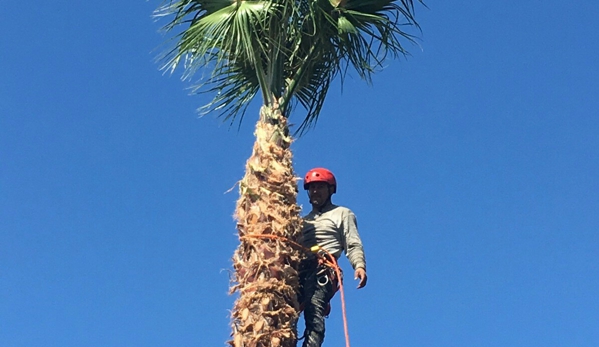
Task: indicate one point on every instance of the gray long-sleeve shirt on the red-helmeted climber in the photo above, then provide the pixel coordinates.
(335, 229)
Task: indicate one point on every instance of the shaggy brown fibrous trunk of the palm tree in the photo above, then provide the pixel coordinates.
(265, 263)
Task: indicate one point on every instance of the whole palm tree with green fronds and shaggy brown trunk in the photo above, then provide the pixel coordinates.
(289, 52)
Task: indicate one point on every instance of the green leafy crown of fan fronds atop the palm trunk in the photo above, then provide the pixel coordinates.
(289, 50)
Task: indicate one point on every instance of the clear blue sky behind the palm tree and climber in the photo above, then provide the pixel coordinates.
(472, 165)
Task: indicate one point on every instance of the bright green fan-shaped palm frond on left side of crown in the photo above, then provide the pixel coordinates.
(224, 36)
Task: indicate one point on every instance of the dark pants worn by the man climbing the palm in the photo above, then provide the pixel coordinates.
(316, 291)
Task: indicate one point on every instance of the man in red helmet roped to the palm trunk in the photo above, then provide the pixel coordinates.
(334, 229)
